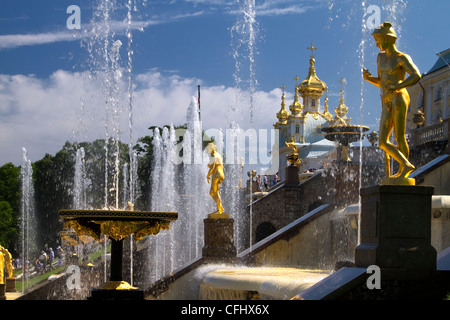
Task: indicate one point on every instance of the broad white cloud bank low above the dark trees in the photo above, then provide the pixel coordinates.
(42, 114)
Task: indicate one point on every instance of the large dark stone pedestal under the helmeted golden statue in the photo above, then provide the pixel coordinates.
(396, 228)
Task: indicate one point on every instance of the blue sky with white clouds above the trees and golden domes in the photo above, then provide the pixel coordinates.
(46, 97)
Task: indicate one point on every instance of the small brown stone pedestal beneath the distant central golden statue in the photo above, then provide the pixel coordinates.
(219, 237)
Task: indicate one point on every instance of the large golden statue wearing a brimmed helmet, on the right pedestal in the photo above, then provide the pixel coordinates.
(392, 68)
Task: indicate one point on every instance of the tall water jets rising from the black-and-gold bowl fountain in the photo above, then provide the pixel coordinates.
(106, 67)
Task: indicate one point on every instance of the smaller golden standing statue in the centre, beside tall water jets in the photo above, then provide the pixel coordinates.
(216, 171)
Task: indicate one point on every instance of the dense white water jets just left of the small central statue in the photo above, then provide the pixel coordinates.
(181, 188)
